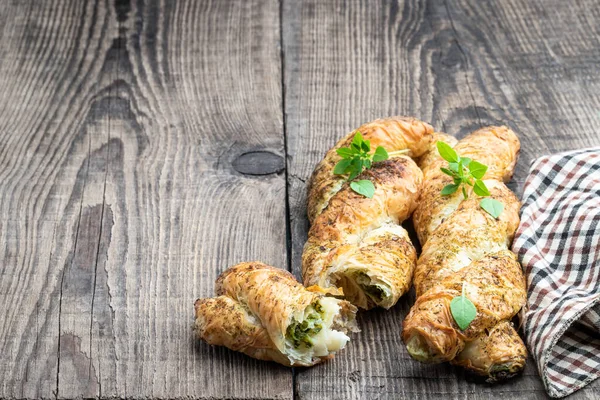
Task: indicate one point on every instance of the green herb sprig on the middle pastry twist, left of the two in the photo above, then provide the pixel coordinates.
(356, 158)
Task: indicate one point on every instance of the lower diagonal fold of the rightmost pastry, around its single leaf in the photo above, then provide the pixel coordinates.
(496, 286)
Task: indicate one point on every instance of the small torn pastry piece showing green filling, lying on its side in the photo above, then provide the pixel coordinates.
(265, 313)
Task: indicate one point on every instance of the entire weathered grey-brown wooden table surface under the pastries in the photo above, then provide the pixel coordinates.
(145, 146)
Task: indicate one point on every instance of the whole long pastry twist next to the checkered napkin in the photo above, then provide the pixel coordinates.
(463, 245)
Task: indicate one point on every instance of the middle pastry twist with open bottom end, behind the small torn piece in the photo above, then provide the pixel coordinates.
(356, 243)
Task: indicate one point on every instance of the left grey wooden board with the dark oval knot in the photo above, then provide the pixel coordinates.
(120, 123)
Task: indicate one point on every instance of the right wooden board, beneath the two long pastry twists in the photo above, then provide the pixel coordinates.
(460, 65)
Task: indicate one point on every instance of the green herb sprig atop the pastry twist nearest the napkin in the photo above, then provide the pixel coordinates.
(466, 172)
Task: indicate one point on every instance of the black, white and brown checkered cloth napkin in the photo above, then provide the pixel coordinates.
(558, 243)
